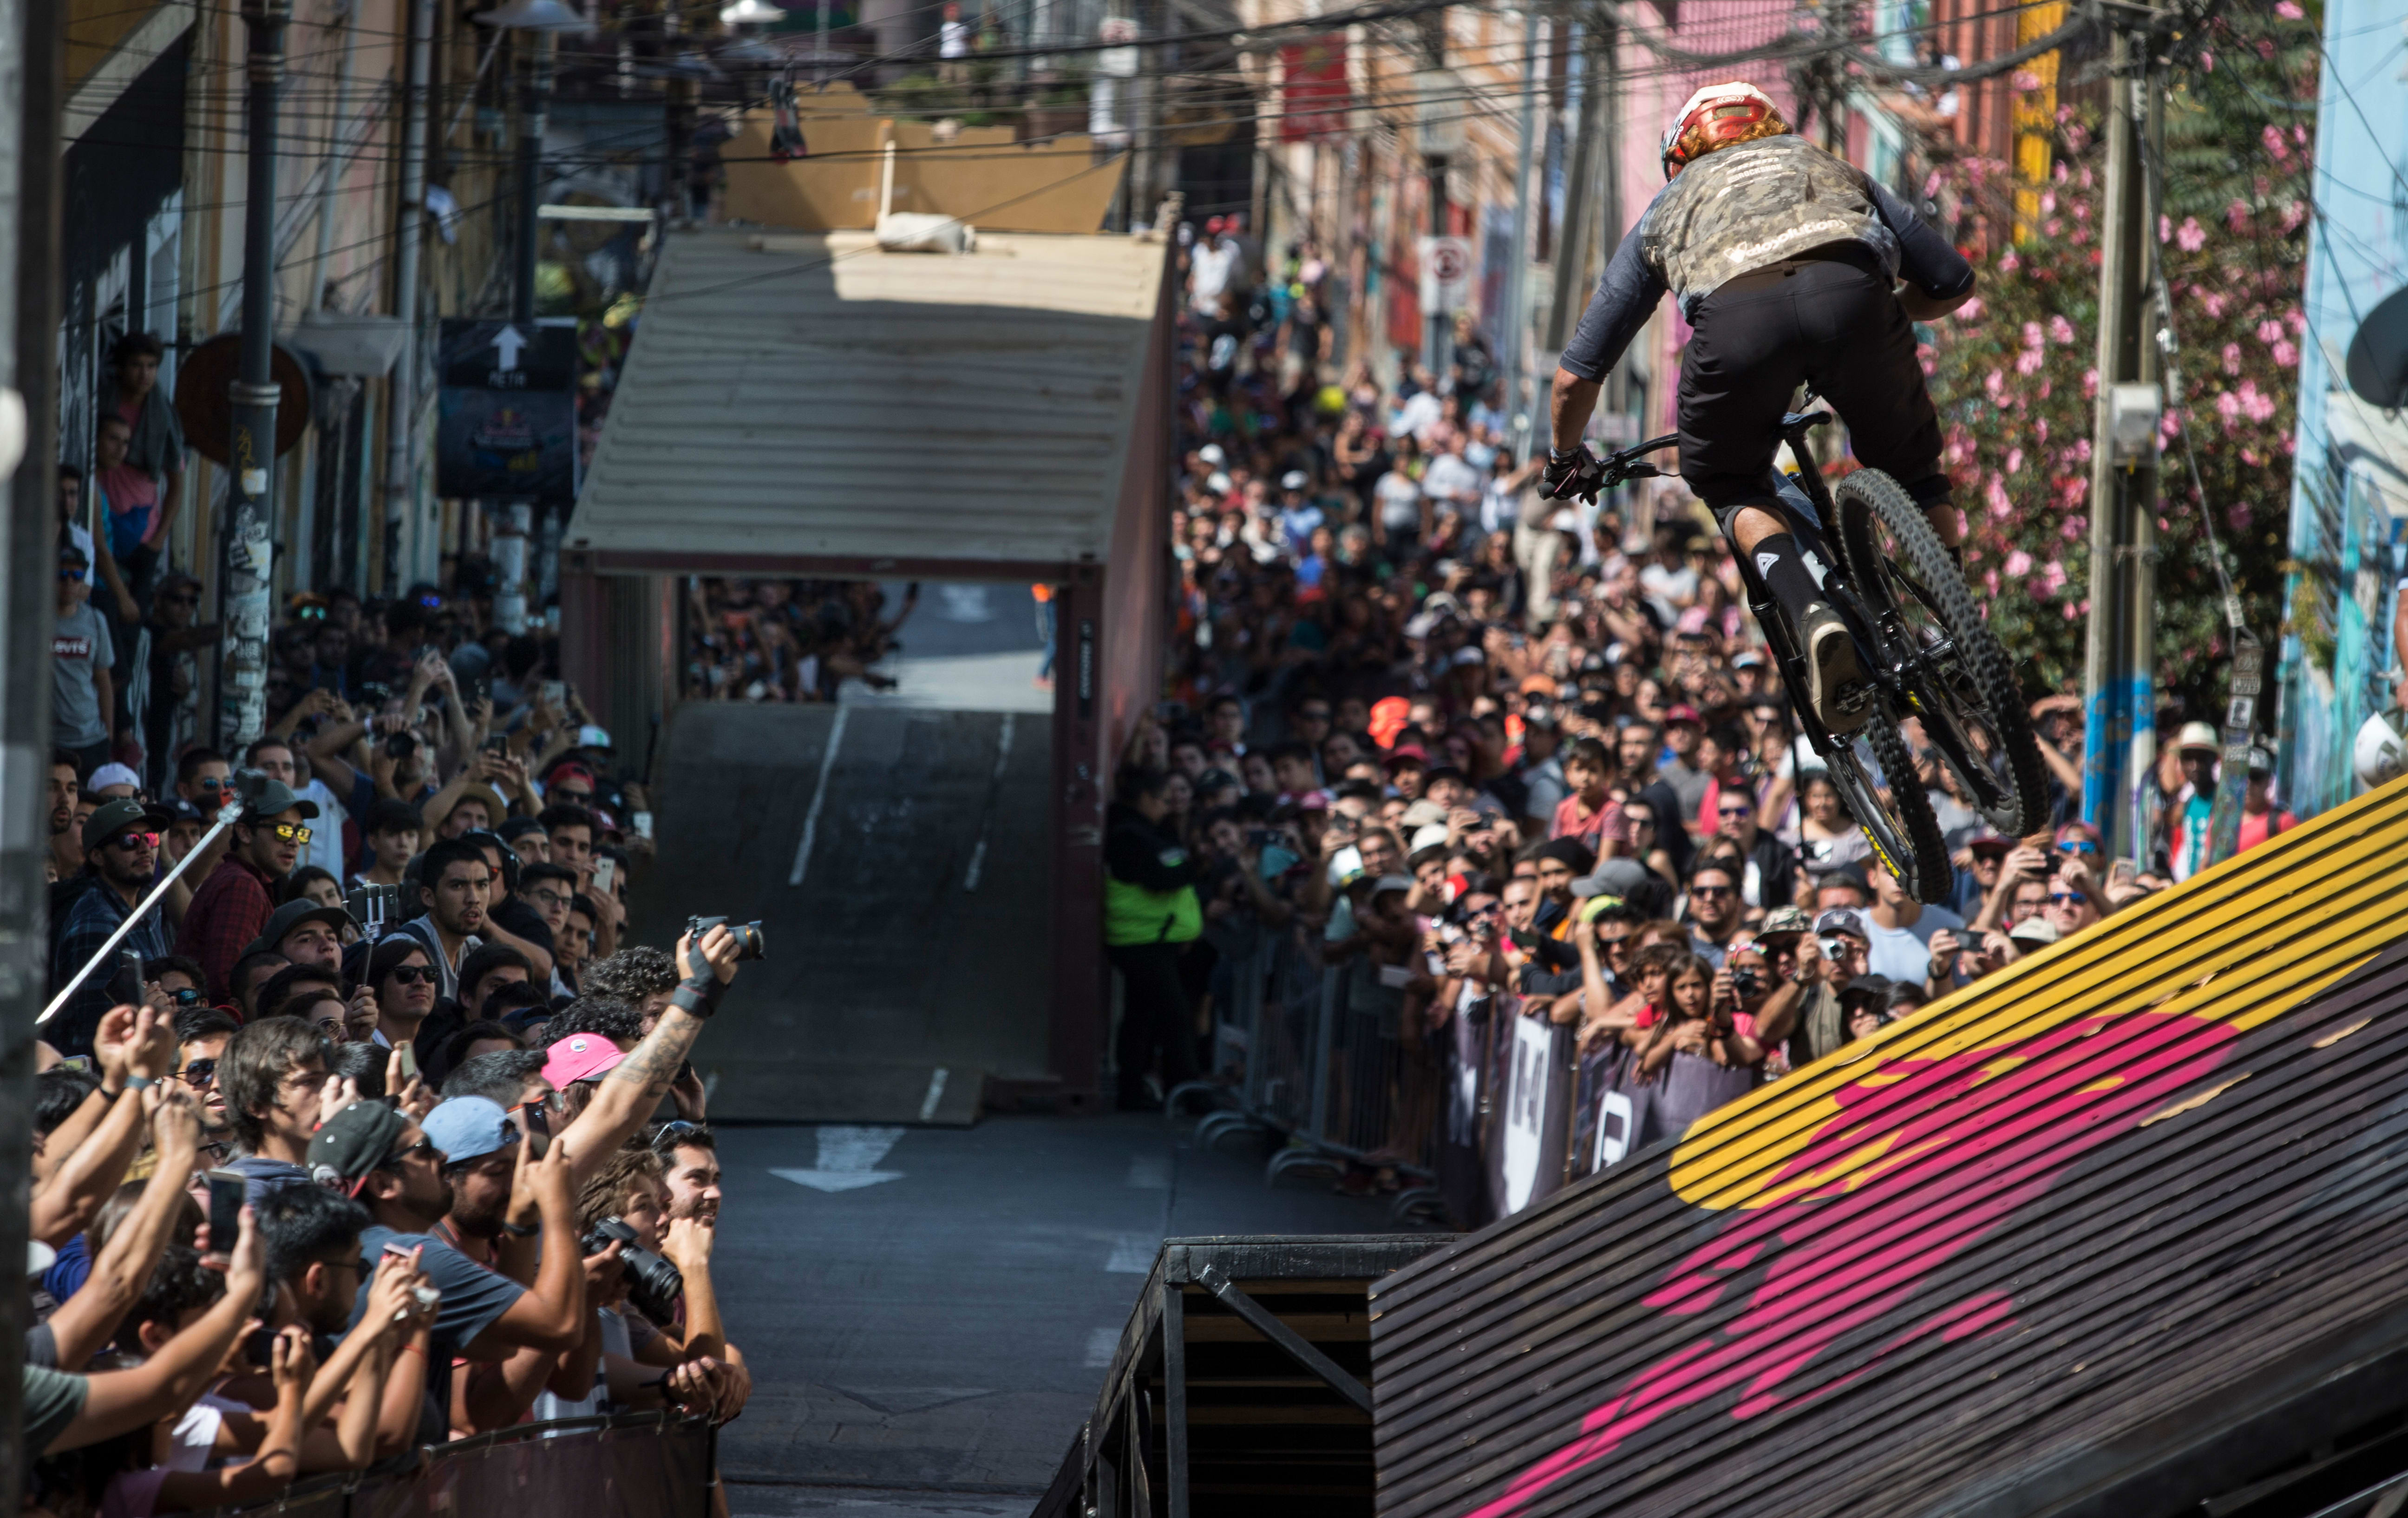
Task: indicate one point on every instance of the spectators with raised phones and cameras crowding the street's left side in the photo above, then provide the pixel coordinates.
(377, 1129)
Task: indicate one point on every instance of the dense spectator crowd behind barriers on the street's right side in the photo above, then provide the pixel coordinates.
(1501, 758)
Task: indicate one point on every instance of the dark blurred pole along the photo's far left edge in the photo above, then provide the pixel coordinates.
(33, 90)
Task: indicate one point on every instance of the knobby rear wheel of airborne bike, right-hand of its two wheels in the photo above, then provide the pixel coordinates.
(1952, 669)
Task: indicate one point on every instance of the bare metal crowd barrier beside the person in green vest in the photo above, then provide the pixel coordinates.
(1338, 1088)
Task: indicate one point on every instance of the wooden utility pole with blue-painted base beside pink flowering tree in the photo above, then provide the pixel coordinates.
(2120, 734)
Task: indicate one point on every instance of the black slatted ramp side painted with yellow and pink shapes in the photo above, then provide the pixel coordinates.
(2067, 1242)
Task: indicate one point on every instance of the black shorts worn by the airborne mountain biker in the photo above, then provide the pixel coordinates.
(1831, 322)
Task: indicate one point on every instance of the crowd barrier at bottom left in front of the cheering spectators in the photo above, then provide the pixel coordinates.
(627, 1466)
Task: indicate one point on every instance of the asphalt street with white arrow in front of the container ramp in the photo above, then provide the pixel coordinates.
(928, 1312)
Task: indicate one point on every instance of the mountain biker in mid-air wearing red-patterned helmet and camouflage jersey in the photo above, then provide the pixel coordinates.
(1783, 259)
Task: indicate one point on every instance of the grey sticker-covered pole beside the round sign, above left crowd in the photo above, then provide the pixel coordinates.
(242, 681)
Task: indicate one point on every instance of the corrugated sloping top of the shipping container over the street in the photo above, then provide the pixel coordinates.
(810, 396)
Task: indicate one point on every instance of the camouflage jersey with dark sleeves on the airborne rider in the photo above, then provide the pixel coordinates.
(1745, 208)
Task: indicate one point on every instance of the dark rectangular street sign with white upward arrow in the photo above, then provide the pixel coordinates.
(509, 413)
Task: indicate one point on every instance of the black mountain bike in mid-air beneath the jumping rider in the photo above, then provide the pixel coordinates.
(1925, 647)
